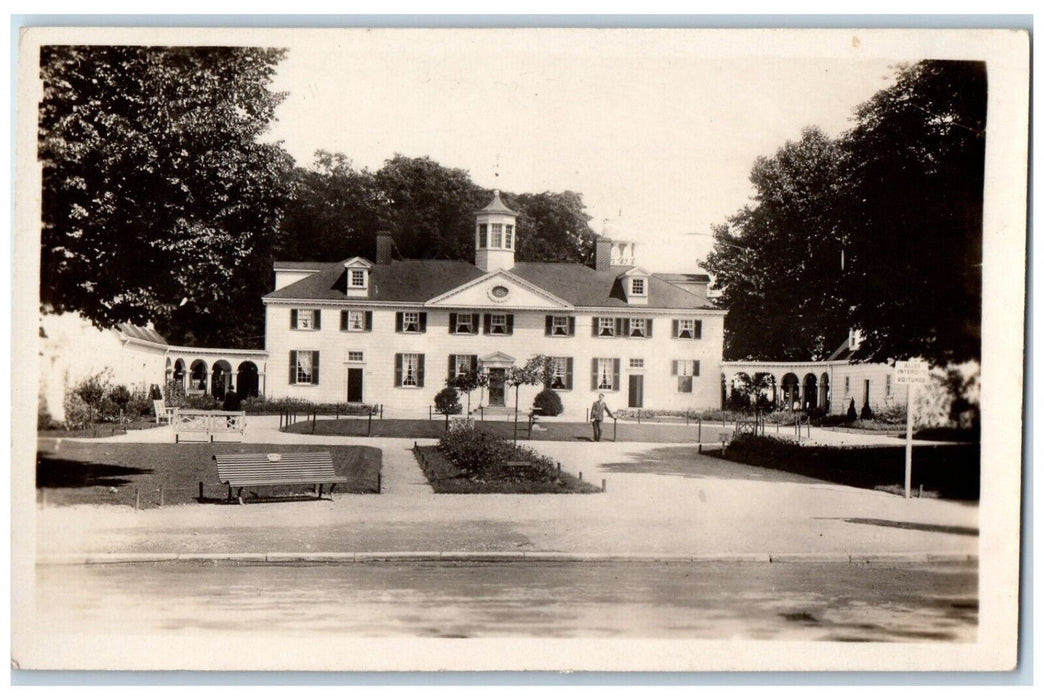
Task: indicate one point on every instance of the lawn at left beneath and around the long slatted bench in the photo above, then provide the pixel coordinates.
(89, 473)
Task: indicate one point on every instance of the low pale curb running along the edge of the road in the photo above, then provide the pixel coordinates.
(506, 556)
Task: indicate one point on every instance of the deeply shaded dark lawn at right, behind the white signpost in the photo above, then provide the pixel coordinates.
(948, 472)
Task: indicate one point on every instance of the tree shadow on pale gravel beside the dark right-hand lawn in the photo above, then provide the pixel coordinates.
(687, 462)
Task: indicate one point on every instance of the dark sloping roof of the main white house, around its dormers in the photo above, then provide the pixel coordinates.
(418, 282)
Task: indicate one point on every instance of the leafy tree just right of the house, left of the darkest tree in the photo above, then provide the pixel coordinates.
(777, 262)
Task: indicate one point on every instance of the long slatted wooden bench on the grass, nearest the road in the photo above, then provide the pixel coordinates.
(241, 472)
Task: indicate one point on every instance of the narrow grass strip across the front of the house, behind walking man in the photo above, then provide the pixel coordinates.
(560, 431)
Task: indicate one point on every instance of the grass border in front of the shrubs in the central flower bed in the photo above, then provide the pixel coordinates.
(445, 478)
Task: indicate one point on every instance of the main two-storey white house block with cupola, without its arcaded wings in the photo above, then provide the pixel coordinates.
(393, 332)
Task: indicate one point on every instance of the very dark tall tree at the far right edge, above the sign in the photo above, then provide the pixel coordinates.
(915, 214)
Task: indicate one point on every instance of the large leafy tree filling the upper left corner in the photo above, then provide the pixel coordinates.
(157, 192)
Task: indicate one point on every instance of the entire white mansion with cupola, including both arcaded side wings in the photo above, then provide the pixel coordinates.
(393, 332)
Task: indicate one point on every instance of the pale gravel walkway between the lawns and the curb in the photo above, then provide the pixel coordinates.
(661, 500)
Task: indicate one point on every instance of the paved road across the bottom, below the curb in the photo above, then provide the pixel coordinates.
(746, 601)
